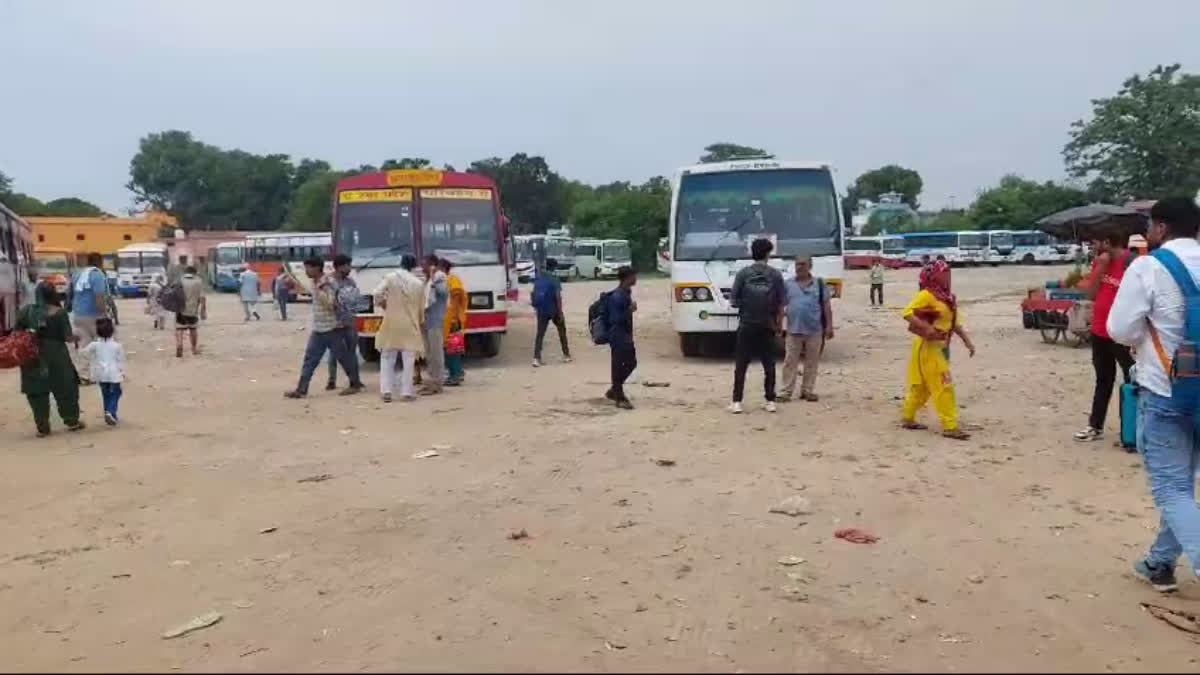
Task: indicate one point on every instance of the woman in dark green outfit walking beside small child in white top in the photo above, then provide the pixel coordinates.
(53, 372)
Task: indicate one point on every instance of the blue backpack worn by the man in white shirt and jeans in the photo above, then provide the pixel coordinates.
(1183, 368)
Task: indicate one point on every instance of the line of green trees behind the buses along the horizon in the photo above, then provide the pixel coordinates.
(1144, 142)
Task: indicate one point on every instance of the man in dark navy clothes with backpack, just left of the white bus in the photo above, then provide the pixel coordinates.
(611, 322)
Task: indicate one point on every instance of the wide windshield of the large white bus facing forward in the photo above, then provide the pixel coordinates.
(719, 214)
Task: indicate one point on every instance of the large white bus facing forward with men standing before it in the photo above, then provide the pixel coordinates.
(719, 210)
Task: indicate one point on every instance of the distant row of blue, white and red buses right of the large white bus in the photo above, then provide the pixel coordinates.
(967, 248)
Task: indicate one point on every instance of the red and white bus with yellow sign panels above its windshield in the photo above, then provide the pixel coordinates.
(380, 217)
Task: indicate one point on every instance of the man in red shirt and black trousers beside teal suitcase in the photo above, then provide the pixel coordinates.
(1108, 270)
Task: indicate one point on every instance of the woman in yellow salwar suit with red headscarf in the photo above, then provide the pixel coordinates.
(934, 318)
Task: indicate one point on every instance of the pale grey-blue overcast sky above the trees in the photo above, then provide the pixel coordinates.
(962, 91)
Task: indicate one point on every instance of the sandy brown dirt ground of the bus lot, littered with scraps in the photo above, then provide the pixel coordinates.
(1007, 553)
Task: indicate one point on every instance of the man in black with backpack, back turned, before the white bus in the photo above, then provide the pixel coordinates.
(759, 295)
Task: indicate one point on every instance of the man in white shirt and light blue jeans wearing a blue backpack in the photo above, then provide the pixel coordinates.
(1150, 306)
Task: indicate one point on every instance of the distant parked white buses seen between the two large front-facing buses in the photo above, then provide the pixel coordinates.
(575, 259)
